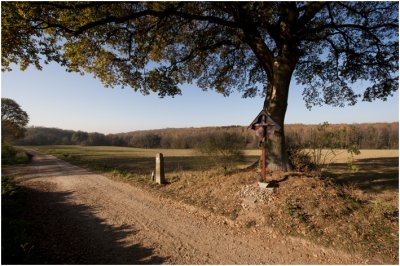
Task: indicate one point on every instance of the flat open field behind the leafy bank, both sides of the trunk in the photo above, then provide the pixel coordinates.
(376, 170)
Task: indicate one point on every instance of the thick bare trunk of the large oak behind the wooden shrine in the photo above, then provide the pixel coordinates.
(275, 105)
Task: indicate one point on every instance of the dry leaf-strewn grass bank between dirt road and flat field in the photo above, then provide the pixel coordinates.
(339, 216)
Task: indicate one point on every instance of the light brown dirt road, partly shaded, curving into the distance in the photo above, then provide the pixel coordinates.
(85, 218)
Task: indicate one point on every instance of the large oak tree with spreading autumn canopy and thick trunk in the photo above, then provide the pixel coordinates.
(253, 47)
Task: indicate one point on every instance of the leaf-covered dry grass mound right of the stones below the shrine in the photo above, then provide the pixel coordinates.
(340, 216)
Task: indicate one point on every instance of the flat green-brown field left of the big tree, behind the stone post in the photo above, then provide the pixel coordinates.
(139, 161)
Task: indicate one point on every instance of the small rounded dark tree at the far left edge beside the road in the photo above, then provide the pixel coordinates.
(13, 120)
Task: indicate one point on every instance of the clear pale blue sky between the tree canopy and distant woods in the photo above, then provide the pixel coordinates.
(54, 98)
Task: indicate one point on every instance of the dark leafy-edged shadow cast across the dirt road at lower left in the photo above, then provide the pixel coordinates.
(65, 233)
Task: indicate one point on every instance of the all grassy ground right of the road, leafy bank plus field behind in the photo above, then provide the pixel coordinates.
(356, 211)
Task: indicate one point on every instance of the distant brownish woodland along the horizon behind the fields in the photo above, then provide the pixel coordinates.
(365, 136)
